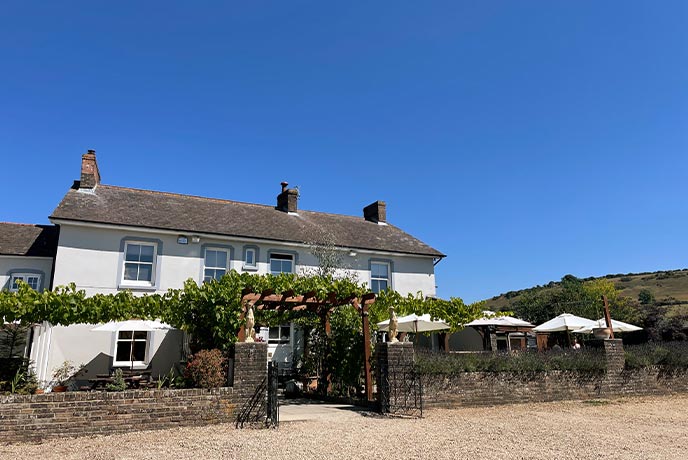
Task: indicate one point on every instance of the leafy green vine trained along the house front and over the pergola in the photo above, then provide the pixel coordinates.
(211, 312)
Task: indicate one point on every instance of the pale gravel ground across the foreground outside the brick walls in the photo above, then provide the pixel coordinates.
(637, 428)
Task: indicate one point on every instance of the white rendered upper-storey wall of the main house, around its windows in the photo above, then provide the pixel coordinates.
(91, 258)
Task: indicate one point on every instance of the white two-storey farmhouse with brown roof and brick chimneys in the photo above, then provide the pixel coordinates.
(106, 239)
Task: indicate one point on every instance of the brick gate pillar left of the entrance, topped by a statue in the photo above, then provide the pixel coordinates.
(250, 377)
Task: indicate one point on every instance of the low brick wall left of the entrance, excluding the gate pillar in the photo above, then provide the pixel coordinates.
(57, 415)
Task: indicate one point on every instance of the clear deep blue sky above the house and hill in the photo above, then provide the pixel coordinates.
(525, 140)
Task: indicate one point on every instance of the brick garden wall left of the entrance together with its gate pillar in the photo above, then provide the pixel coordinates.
(57, 415)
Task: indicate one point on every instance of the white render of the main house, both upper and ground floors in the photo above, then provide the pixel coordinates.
(91, 256)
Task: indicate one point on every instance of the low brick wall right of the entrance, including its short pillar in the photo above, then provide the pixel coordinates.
(489, 388)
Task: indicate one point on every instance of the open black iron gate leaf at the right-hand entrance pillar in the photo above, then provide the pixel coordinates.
(401, 392)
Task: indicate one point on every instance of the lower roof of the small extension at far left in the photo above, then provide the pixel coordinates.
(28, 240)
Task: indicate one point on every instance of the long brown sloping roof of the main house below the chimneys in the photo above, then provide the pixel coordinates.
(191, 214)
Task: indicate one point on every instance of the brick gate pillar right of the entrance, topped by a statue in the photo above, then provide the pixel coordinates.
(394, 360)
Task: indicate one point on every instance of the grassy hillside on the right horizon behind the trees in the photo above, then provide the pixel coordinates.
(668, 287)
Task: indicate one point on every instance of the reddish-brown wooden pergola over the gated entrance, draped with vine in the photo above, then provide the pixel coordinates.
(289, 301)
